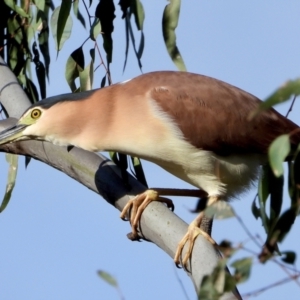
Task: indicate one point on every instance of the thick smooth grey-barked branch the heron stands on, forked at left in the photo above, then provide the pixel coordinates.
(101, 176)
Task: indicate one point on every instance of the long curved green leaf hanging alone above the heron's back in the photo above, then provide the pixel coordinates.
(169, 24)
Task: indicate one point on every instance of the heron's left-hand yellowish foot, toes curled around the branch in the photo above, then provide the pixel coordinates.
(137, 205)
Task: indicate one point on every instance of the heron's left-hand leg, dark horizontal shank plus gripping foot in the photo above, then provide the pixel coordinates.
(137, 205)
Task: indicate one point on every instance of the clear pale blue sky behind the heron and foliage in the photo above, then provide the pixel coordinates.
(55, 234)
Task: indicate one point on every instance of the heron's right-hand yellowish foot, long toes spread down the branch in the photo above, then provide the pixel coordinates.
(190, 237)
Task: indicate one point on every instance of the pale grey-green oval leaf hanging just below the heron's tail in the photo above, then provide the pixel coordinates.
(278, 151)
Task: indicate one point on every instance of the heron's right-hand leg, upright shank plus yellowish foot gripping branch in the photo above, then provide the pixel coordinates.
(200, 226)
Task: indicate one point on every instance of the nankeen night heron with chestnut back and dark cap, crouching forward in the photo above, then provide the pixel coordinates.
(195, 127)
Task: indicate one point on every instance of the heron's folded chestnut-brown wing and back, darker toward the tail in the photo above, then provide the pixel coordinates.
(214, 115)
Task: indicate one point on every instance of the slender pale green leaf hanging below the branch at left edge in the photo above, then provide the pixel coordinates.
(11, 179)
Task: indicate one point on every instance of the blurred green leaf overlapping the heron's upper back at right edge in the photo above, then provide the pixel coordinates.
(282, 94)
